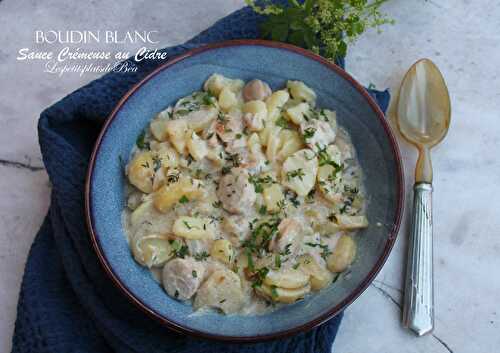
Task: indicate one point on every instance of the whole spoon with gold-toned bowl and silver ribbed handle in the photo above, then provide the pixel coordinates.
(423, 117)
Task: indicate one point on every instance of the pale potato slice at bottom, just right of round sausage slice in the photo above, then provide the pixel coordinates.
(222, 290)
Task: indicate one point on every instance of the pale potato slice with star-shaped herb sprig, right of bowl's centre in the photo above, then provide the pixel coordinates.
(299, 172)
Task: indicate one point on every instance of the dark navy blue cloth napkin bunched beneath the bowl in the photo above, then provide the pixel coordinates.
(67, 304)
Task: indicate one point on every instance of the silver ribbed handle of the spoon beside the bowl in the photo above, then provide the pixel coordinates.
(418, 310)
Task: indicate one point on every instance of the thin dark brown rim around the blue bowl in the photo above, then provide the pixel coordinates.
(179, 328)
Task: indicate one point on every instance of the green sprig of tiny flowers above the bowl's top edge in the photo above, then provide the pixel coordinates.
(325, 27)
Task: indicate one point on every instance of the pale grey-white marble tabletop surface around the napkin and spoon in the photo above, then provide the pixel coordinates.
(461, 36)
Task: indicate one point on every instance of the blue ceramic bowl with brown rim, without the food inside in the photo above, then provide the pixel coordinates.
(274, 63)
